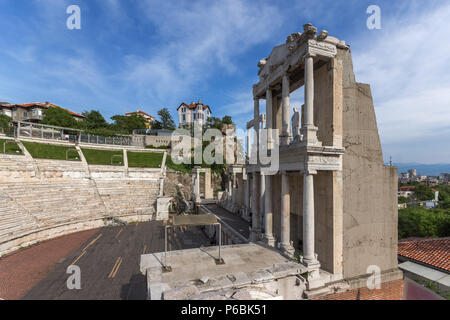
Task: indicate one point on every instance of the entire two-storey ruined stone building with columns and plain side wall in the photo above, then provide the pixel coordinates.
(333, 201)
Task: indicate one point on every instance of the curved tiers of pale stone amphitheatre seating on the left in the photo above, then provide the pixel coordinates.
(42, 199)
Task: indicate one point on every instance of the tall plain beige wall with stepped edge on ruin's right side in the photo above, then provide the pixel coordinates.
(369, 187)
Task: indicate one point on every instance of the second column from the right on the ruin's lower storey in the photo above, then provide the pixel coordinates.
(285, 243)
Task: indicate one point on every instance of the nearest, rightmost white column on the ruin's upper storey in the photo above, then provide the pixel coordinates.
(309, 131)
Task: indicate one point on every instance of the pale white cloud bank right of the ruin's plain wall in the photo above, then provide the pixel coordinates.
(408, 68)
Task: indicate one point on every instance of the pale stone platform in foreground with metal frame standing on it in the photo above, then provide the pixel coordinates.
(195, 275)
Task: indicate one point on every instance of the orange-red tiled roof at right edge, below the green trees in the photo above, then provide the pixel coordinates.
(433, 252)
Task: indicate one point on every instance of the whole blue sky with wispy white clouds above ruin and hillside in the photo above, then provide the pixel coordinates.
(137, 54)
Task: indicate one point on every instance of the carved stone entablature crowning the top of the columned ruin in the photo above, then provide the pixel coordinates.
(290, 55)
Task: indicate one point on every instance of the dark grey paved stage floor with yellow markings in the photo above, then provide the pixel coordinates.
(109, 263)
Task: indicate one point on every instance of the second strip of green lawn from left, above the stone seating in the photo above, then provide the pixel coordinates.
(48, 151)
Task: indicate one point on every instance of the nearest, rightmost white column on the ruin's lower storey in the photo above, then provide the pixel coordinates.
(309, 256)
